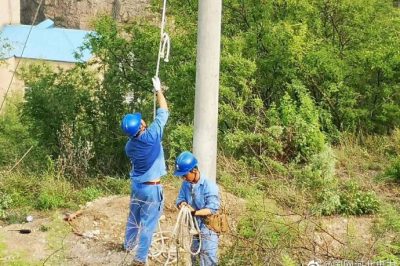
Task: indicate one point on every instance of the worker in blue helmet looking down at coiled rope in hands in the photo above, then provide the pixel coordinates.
(201, 195)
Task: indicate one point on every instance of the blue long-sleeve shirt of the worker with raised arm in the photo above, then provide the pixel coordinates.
(146, 152)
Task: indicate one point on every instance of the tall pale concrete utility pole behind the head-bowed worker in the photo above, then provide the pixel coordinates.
(207, 86)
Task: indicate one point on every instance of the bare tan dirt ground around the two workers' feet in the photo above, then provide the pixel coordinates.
(96, 236)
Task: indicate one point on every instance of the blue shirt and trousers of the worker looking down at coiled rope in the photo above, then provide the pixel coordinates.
(202, 195)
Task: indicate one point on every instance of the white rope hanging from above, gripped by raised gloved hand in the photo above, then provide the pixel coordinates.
(164, 44)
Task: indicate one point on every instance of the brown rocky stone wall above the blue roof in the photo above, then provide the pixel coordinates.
(77, 14)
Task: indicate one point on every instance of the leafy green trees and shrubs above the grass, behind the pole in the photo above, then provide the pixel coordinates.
(293, 73)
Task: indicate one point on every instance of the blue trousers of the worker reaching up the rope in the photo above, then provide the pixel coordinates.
(145, 209)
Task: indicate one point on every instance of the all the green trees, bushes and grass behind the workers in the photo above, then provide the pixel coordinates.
(308, 117)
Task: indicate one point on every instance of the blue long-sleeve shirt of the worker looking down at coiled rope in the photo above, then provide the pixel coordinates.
(202, 195)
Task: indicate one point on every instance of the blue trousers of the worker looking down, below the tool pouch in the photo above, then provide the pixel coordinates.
(209, 247)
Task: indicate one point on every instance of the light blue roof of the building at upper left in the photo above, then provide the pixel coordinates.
(45, 42)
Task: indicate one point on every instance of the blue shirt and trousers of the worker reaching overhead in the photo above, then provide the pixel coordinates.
(147, 157)
